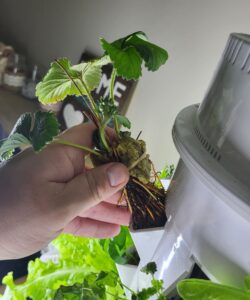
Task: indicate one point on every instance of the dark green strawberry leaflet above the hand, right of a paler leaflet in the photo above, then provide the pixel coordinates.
(45, 128)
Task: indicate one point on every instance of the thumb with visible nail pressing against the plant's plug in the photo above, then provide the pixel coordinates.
(93, 186)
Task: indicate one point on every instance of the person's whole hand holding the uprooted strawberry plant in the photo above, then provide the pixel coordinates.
(50, 192)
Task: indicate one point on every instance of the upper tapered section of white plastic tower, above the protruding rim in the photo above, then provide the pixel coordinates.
(223, 118)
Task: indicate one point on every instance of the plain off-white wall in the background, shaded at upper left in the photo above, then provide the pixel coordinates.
(194, 32)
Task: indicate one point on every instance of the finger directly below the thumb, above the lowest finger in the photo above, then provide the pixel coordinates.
(107, 212)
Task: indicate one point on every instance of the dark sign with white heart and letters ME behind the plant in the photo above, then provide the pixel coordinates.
(71, 111)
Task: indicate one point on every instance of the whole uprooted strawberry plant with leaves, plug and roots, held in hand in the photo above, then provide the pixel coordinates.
(144, 198)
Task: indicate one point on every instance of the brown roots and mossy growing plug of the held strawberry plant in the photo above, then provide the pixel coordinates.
(145, 201)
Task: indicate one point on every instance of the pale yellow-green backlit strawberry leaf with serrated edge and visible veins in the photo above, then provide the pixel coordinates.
(63, 79)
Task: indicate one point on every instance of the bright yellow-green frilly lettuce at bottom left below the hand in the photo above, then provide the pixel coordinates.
(81, 260)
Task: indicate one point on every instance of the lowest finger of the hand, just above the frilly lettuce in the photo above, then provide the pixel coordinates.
(91, 228)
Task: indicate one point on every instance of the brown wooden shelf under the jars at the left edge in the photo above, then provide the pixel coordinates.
(12, 105)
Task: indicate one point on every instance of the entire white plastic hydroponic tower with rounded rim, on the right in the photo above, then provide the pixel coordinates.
(208, 202)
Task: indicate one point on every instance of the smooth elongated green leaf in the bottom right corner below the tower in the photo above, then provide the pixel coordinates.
(197, 289)
